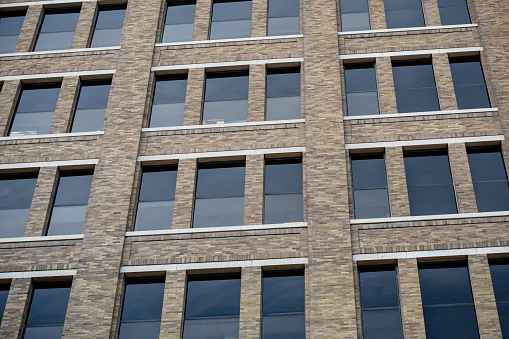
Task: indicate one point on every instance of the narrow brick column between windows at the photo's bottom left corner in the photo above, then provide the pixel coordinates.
(15, 308)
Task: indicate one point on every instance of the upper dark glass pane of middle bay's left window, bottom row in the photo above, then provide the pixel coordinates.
(143, 301)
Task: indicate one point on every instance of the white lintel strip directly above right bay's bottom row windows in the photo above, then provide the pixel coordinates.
(430, 254)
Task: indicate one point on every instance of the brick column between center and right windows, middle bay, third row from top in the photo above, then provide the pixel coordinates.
(253, 192)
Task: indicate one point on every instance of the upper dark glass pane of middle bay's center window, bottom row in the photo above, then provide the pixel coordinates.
(213, 298)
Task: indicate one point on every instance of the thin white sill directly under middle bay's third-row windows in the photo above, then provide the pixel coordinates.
(217, 229)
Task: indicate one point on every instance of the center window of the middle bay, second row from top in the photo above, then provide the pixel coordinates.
(225, 98)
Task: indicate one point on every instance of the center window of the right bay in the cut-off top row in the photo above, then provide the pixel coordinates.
(403, 13)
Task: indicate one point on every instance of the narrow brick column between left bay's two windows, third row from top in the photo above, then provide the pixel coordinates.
(41, 202)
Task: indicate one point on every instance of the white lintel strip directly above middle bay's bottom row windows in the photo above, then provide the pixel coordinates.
(214, 265)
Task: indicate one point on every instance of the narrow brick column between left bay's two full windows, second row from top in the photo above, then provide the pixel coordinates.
(65, 105)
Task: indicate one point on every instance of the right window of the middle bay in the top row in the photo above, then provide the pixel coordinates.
(283, 17)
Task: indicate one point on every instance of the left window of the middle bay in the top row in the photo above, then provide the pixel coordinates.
(179, 21)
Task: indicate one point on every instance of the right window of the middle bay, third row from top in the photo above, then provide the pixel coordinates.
(283, 191)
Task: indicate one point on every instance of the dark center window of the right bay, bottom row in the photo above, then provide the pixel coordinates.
(447, 301)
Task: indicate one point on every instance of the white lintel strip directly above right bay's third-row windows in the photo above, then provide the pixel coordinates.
(424, 142)
